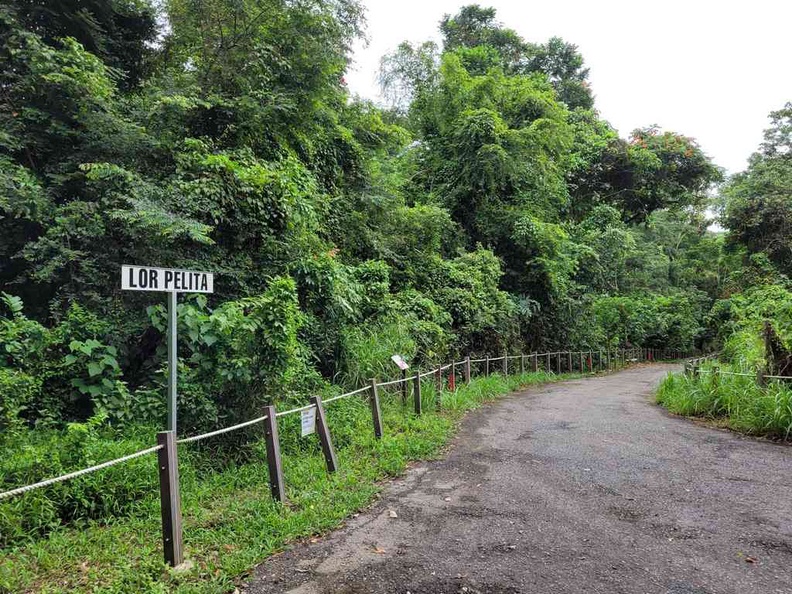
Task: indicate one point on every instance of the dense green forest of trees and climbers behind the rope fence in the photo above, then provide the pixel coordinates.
(486, 208)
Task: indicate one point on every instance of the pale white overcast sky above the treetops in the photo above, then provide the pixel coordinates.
(710, 69)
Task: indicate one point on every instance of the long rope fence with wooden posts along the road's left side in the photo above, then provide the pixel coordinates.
(167, 460)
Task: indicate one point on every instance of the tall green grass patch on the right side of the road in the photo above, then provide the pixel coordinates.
(738, 401)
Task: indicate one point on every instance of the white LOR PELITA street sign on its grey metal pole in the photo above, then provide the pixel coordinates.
(173, 282)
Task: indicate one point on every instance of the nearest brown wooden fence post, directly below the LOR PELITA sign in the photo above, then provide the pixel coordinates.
(170, 500)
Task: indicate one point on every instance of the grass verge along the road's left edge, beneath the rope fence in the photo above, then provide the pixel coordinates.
(230, 520)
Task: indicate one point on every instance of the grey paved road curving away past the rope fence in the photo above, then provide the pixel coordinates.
(583, 486)
